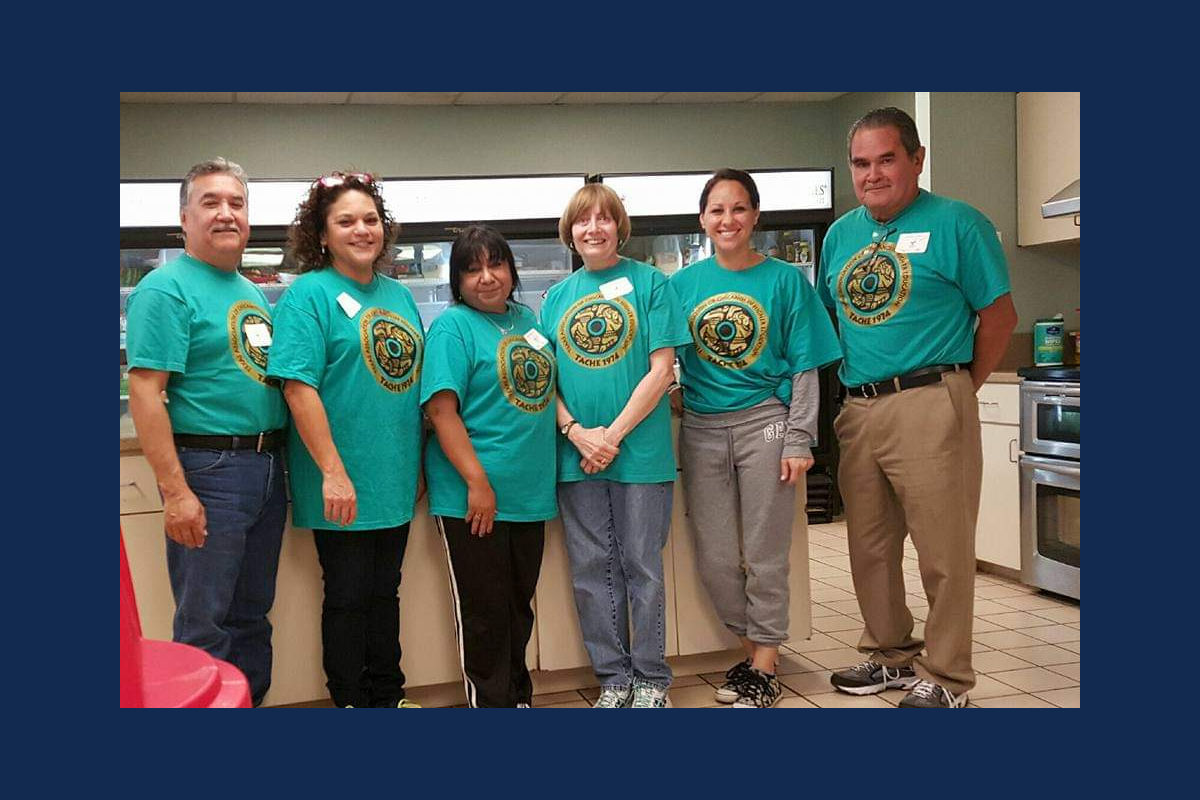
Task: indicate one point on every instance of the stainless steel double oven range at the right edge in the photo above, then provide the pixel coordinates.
(1049, 474)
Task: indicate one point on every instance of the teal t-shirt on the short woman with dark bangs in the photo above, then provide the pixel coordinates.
(506, 388)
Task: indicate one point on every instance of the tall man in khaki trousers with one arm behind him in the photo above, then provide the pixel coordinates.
(908, 274)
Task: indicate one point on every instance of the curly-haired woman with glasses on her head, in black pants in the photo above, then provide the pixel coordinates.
(349, 348)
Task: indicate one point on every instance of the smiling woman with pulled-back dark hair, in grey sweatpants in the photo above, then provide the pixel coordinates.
(751, 392)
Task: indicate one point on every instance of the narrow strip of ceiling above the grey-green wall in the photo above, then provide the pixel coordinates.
(476, 98)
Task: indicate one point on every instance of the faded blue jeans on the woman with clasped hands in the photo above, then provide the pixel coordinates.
(615, 539)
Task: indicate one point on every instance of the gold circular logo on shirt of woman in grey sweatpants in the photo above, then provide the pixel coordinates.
(729, 330)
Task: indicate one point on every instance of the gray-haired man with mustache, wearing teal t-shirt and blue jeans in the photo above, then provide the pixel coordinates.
(212, 426)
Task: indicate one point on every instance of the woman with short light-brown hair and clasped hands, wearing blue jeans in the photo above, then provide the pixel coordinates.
(616, 324)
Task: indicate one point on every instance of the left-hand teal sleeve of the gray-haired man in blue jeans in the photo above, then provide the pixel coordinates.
(158, 330)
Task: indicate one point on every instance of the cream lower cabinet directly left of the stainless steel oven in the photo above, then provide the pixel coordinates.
(999, 528)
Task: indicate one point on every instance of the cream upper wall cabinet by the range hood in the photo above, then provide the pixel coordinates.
(1047, 161)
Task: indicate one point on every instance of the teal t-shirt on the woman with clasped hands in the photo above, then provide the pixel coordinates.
(604, 326)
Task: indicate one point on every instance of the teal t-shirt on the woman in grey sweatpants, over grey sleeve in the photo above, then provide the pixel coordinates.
(752, 332)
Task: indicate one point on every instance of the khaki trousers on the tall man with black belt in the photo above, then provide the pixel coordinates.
(913, 462)
